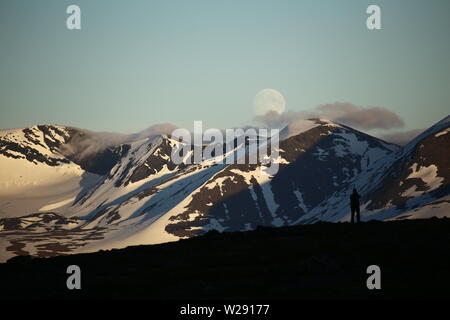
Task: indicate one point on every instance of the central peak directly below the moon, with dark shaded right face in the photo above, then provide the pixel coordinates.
(314, 164)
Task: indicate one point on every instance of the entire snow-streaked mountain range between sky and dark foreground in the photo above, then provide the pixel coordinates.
(131, 192)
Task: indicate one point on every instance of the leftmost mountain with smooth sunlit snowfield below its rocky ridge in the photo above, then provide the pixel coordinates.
(41, 165)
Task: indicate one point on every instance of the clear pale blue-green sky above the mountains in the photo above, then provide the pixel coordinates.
(137, 63)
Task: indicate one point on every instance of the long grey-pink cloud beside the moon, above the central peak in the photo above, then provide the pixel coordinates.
(365, 118)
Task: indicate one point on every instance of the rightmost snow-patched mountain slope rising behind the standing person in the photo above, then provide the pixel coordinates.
(412, 183)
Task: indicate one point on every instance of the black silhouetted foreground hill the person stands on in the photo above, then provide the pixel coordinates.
(317, 261)
